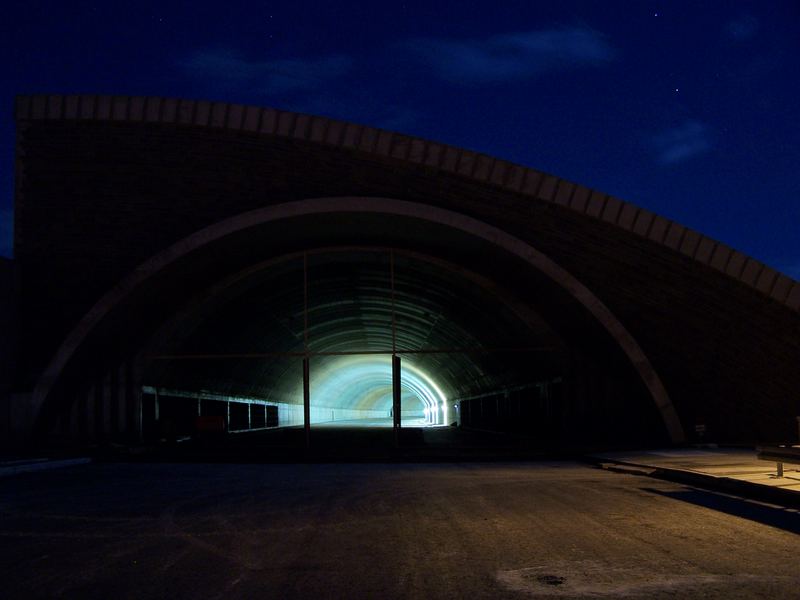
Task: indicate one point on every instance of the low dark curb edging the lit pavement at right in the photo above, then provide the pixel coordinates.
(737, 487)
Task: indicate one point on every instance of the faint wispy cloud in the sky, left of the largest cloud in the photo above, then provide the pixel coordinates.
(266, 76)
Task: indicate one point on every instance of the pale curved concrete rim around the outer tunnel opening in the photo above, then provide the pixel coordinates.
(370, 205)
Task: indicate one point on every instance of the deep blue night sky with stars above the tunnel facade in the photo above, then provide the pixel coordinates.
(690, 109)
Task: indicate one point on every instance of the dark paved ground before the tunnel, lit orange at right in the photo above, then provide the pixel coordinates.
(499, 530)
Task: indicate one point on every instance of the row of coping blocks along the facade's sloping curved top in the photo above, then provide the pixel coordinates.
(418, 152)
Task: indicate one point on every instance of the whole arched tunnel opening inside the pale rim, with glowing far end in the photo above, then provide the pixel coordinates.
(235, 327)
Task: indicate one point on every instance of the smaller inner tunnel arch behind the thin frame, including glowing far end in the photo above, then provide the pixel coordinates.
(350, 312)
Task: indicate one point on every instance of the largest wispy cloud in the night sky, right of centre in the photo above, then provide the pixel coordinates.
(512, 56)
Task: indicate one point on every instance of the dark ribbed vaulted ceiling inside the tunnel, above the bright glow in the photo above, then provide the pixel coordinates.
(473, 341)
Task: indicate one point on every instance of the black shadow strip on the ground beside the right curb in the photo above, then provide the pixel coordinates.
(775, 516)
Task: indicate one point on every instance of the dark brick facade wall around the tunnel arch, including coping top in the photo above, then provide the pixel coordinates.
(106, 182)
